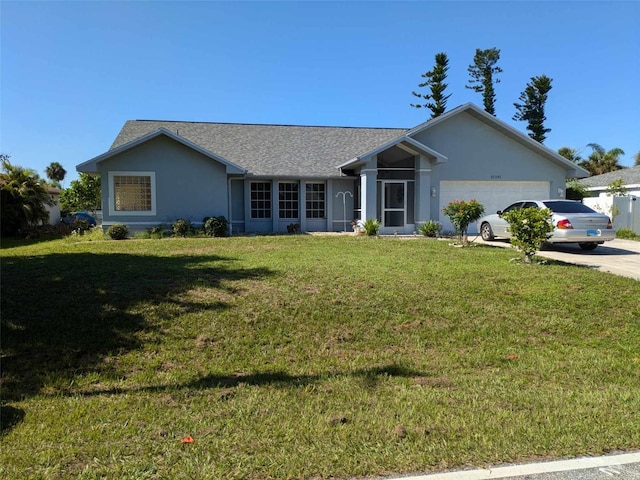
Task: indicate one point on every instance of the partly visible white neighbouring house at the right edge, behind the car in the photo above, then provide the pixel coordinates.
(626, 213)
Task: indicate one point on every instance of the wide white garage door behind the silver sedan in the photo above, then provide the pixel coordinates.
(493, 195)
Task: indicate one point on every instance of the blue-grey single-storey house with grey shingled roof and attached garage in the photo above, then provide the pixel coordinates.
(265, 177)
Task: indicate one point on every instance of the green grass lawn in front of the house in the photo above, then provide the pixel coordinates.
(306, 357)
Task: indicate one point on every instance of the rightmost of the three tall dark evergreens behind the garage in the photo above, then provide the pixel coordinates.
(531, 110)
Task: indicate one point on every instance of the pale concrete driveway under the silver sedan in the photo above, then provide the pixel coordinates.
(620, 257)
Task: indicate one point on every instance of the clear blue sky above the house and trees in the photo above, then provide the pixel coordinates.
(73, 72)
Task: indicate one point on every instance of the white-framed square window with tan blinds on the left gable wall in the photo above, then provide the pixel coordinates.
(132, 193)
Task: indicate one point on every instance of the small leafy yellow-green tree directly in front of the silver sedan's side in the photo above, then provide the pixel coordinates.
(530, 228)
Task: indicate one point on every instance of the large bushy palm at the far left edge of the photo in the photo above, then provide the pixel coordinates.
(23, 198)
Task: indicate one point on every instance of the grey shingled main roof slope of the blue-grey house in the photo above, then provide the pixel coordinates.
(272, 150)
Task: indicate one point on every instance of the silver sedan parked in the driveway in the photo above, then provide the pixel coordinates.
(574, 222)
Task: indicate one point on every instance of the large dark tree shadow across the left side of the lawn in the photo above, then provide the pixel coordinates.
(62, 314)
